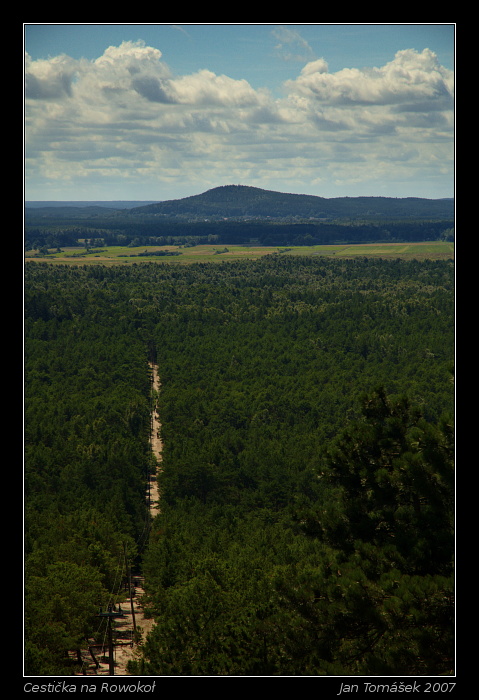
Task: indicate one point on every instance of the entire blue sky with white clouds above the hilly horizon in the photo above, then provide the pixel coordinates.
(163, 111)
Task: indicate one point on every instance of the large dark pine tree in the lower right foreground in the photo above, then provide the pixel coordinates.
(383, 601)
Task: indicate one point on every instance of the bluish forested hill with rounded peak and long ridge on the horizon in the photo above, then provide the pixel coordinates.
(243, 201)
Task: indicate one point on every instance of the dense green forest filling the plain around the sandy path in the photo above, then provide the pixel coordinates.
(307, 484)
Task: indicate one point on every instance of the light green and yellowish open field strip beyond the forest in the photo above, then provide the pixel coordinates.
(116, 255)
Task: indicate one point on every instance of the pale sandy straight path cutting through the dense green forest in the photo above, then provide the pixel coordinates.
(126, 650)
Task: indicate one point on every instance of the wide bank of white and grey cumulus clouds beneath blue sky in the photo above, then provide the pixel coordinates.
(125, 117)
